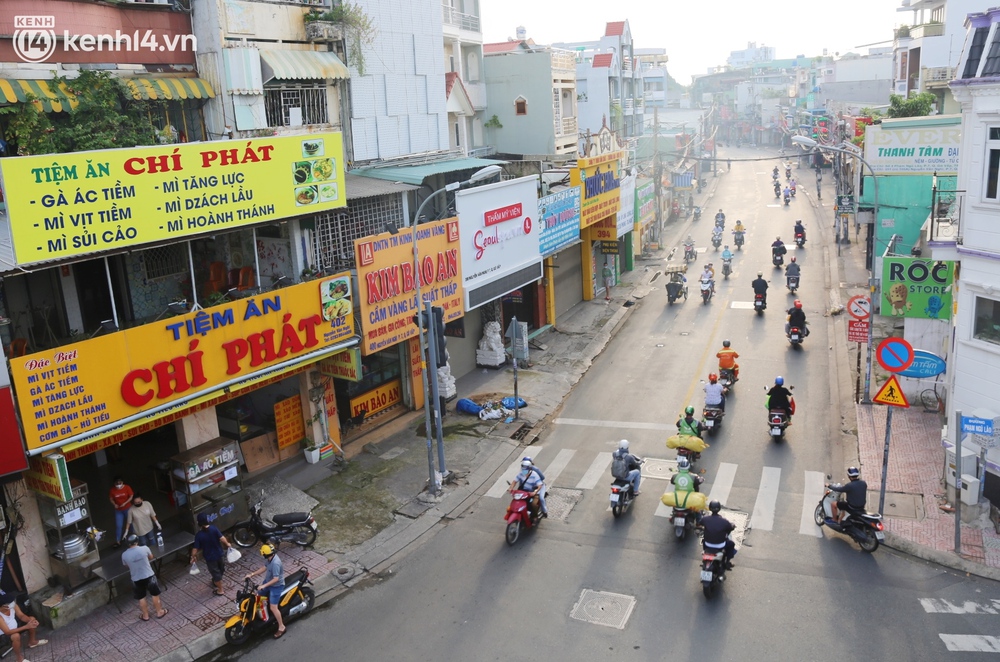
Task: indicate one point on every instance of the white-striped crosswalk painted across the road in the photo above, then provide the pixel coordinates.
(597, 474)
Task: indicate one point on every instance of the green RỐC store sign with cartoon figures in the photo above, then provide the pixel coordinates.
(913, 287)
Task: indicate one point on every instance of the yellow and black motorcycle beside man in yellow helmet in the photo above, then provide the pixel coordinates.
(254, 616)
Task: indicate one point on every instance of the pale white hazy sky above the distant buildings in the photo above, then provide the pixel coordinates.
(701, 34)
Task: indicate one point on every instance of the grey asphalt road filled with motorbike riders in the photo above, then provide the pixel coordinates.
(796, 594)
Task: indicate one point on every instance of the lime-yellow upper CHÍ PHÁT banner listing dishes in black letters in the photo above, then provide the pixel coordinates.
(79, 203)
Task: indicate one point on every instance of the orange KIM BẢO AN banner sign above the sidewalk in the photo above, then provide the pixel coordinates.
(388, 296)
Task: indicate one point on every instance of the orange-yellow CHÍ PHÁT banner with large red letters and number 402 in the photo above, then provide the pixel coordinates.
(70, 390)
